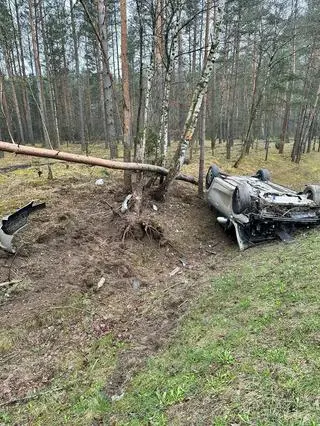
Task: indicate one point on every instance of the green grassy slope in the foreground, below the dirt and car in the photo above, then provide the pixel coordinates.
(247, 353)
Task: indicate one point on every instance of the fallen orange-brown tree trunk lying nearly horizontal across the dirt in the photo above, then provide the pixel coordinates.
(91, 161)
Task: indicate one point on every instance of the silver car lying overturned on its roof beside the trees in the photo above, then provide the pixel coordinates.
(259, 209)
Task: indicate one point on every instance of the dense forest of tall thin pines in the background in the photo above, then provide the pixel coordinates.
(61, 72)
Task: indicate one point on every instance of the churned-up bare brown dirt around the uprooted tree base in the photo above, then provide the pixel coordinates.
(57, 305)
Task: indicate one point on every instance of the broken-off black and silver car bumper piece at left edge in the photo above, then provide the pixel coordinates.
(13, 223)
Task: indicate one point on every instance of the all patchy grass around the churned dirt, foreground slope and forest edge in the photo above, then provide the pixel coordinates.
(247, 351)
